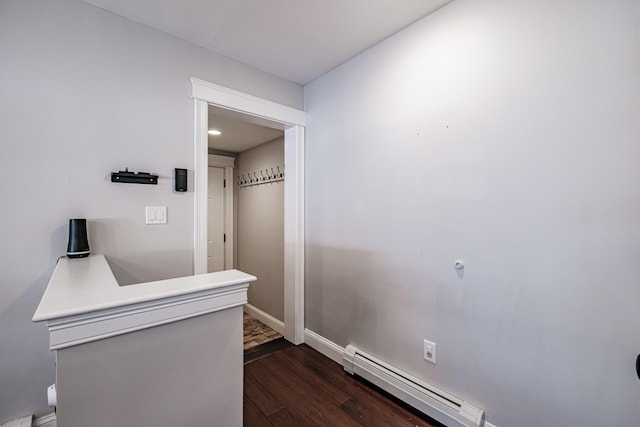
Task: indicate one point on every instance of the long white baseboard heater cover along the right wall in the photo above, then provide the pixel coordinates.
(438, 404)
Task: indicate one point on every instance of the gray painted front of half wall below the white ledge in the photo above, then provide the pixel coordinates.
(186, 373)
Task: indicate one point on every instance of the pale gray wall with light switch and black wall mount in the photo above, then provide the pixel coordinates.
(83, 93)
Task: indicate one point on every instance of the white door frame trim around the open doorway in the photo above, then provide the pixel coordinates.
(205, 93)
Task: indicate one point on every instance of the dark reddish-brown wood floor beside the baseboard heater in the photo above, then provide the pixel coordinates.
(297, 386)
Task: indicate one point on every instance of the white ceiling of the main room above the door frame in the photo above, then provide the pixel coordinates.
(298, 40)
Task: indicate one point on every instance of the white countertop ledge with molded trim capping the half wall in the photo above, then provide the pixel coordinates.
(83, 301)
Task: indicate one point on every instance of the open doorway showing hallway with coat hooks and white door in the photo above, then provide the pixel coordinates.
(245, 224)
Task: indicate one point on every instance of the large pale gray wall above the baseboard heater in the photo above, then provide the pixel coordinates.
(504, 133)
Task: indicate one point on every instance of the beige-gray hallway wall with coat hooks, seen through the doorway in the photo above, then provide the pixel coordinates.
(260, 231)
